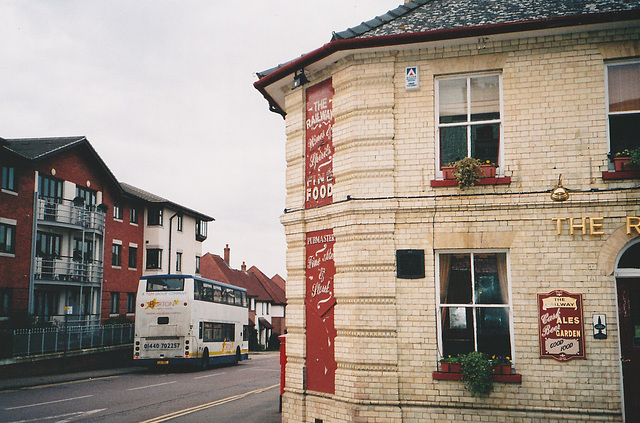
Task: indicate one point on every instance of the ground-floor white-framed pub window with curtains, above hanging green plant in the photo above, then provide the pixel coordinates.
(474, 306)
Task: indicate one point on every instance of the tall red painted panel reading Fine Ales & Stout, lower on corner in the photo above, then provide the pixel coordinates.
(319, 302)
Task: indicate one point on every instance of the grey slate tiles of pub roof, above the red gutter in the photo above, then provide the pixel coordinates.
(434, 15)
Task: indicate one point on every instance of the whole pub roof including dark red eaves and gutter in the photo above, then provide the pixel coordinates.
(424, 21)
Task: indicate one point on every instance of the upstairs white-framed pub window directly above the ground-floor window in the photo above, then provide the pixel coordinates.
(469, 118)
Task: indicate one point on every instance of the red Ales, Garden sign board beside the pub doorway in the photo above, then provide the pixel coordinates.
(561, 325)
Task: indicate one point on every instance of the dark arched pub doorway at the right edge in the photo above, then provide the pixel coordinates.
(628, 283)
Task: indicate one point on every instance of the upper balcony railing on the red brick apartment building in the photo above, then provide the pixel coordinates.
(67, 212)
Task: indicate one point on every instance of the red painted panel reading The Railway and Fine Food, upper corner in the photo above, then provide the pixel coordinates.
(319, 145)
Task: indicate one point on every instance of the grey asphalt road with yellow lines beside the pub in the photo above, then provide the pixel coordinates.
(246, 393)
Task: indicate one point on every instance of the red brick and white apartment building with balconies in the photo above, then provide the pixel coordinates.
(74, 242)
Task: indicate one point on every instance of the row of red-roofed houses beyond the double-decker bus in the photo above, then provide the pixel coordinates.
(267, 300)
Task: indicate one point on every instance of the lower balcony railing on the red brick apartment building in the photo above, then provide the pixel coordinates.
(66, 269)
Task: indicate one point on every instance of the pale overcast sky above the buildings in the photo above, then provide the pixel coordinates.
(163, 90)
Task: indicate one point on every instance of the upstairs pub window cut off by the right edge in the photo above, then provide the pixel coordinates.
(623, 89)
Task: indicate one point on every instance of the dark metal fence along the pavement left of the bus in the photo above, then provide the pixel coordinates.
(55, 340)
